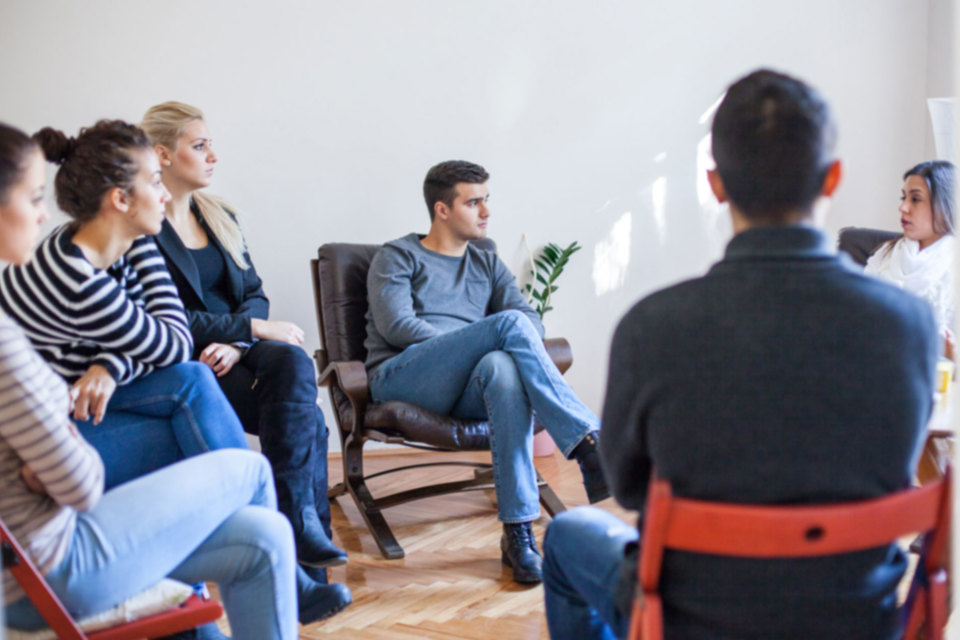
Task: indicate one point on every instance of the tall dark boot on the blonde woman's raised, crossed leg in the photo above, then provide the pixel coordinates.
(288, 439)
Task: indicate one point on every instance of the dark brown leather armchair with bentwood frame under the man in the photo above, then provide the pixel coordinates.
(340, 293)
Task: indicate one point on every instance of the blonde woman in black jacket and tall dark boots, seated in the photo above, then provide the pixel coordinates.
(266, 375)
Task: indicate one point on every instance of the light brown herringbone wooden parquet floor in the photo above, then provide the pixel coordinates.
(451, 583)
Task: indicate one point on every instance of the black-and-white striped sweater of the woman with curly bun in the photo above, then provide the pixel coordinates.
(127, 318)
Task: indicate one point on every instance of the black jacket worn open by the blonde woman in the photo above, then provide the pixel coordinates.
(246, 291)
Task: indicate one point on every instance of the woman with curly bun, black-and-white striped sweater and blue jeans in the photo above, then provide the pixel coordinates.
(98, 304)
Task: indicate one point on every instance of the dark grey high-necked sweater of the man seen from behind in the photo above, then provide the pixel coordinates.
(782, 376)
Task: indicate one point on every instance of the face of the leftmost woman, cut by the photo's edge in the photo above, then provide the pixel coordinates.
(22, 212)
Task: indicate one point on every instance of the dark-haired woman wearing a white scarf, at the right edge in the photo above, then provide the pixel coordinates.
(921, 260)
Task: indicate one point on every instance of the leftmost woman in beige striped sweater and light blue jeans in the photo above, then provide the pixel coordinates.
(96, 549)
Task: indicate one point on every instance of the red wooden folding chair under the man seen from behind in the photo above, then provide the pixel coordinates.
(795, 532)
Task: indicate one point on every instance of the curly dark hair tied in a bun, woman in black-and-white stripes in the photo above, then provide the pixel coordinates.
(100, 158)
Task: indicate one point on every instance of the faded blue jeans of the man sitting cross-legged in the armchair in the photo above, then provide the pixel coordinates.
(495, 369)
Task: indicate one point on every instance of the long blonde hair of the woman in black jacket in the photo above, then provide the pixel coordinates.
(164, 123)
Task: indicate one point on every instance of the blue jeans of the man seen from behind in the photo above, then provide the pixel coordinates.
(582, 553)
